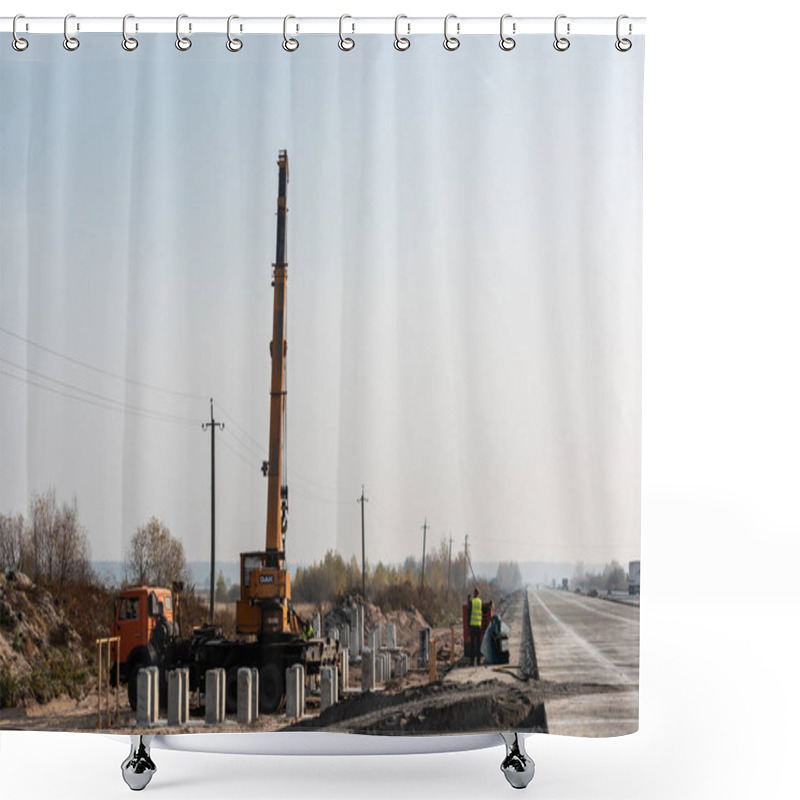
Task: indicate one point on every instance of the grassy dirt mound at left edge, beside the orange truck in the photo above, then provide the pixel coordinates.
(41, 654)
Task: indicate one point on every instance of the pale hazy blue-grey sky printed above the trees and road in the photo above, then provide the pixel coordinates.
(464, 290)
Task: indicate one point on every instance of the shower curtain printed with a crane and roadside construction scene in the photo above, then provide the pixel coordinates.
(458, 424)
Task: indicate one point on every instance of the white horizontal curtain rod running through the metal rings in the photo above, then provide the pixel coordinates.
(309, 25)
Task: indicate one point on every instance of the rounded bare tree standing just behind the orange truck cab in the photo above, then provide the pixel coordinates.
(155, 557)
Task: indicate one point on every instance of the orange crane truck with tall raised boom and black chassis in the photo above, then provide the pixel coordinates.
(270, 634)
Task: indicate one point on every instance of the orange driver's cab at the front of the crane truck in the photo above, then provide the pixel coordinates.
(137, 612)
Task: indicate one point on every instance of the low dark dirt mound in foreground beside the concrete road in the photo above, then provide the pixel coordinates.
(489, 707)
